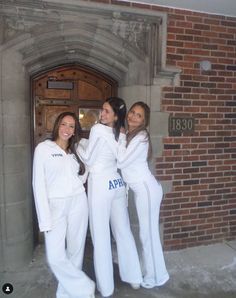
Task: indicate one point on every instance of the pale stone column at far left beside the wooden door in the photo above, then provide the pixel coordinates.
(15, 163)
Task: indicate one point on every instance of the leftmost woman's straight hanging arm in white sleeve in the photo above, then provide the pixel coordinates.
(40, 192)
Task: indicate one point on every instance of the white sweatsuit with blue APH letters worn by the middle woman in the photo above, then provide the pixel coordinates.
(108, 204)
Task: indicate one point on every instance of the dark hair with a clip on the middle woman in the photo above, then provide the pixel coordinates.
(119, 107)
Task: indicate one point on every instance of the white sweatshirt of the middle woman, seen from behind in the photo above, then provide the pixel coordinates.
(100, 152)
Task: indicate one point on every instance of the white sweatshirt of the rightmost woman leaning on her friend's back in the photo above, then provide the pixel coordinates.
(133, 160)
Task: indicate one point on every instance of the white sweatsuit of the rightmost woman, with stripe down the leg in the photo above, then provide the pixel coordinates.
(148, 194)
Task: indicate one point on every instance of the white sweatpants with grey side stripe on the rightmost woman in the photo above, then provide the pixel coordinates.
(148, 195)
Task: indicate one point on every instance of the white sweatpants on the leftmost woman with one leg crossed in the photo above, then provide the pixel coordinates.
(65, 246)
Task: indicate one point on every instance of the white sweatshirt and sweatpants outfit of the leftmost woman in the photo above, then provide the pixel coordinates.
(62, 211)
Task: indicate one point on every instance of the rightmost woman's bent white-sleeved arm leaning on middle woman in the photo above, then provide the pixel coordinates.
(128, 155)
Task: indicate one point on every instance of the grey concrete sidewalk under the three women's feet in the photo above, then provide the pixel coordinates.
(199, 272)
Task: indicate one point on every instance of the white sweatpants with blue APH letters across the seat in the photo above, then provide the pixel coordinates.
(108, 205)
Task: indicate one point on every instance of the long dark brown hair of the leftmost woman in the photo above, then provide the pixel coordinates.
(73, 140)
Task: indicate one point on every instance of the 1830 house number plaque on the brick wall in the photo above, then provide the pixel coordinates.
(179, 125)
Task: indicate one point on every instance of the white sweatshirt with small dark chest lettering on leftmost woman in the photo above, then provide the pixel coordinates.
(55, 175)
